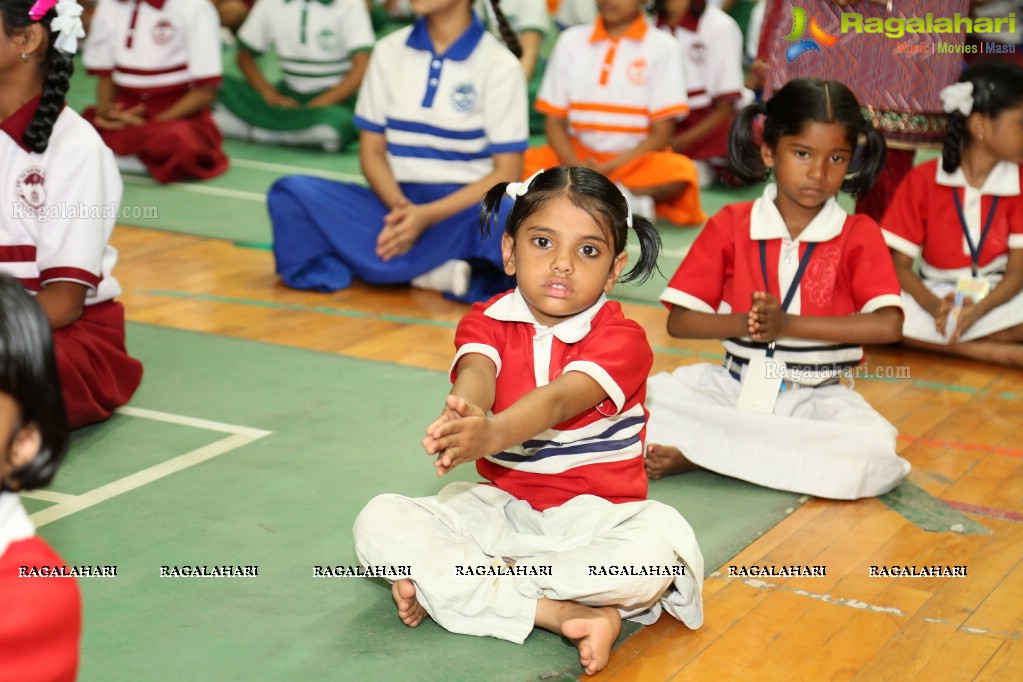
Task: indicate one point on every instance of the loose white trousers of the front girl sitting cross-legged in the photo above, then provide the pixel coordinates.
(473, 525)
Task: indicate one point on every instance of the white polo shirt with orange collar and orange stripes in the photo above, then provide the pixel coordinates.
(611, 90)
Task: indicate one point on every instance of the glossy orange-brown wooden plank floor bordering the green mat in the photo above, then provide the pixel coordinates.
(961, 426)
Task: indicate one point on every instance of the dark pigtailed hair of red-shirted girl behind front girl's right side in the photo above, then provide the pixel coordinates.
(800, 103)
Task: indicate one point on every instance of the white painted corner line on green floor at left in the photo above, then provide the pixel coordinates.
(69, 505)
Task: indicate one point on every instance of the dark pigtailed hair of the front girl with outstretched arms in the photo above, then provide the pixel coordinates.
(591, 192)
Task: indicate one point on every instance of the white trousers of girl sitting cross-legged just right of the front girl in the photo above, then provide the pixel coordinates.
(826, 442)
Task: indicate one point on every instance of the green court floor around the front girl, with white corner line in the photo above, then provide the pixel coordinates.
(342, 431)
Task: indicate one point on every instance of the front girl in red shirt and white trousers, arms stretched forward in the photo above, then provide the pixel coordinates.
(548, 400)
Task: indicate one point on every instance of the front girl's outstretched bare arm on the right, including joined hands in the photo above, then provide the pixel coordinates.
(474, 435)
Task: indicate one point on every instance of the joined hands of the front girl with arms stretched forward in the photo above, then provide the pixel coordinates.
(461, 435)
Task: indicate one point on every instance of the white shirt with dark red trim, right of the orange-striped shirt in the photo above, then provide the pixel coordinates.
(714, 51)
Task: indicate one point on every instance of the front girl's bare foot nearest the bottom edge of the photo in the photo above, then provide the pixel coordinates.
(593, 630)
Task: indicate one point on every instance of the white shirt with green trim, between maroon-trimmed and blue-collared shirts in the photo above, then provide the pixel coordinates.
(315, 39)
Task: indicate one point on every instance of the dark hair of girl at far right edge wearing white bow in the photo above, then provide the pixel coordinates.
(997, 86)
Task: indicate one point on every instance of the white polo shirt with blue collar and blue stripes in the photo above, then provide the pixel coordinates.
(446, 116)
